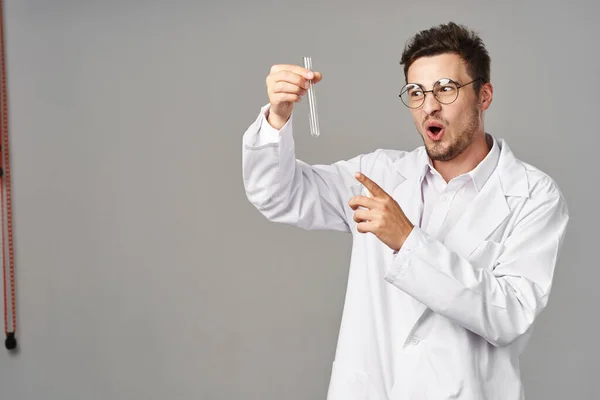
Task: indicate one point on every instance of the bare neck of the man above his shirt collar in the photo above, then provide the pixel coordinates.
(465, 161)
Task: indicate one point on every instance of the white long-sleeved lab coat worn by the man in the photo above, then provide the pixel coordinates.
(441, 320)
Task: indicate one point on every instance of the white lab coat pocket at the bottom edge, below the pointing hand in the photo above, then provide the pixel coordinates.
(348, 383)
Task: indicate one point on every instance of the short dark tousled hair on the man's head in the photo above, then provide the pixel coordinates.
(450, 38)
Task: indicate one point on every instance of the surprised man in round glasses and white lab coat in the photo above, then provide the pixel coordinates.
(454, 243)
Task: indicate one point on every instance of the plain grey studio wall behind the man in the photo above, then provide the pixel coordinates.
(142, 270)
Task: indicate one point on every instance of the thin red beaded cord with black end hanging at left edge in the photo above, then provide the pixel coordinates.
(6, 208)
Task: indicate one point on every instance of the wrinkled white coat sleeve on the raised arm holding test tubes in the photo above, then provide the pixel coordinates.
(287, 190)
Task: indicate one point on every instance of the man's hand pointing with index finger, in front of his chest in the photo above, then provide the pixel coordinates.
(382, 215)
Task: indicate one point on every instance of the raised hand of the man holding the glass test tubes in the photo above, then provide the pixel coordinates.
(286, 84)
